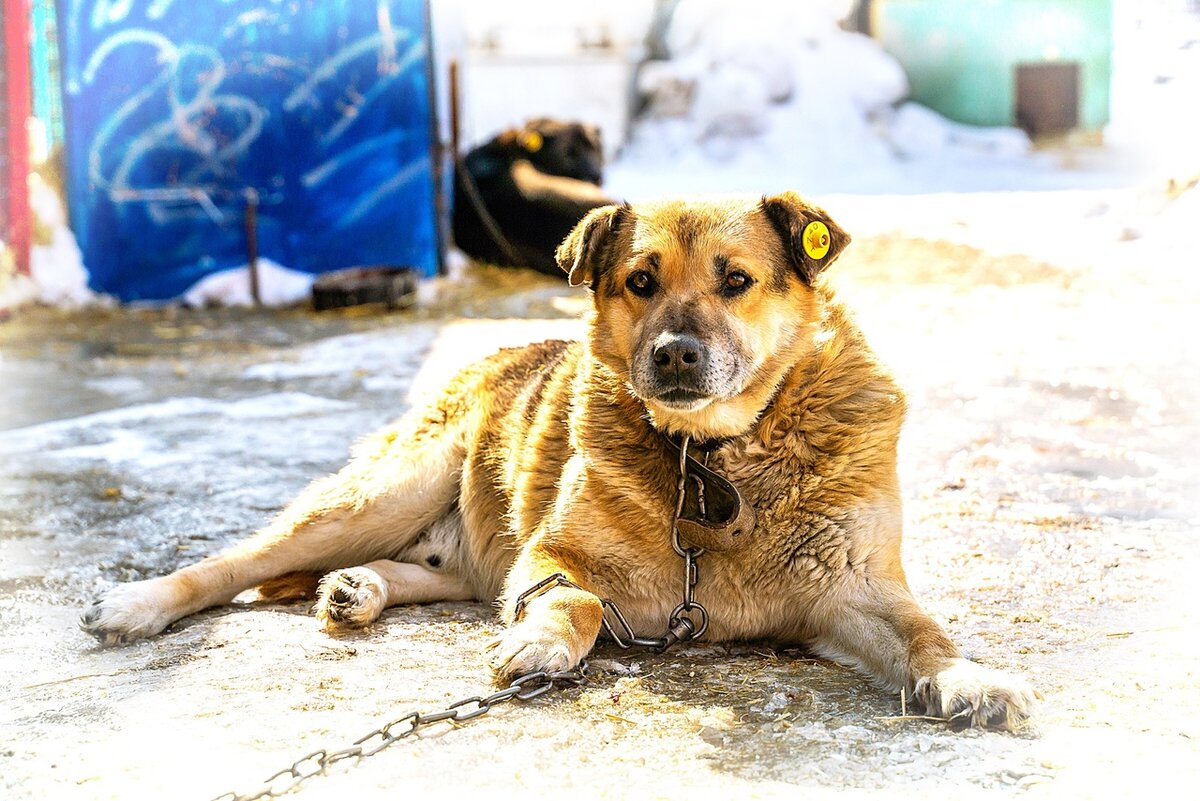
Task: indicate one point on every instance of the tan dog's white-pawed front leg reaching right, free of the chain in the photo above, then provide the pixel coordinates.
(877, 627)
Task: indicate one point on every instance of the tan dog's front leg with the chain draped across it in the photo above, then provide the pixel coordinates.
(557, 629)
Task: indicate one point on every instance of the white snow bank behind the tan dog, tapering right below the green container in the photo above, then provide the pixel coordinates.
(763, 97)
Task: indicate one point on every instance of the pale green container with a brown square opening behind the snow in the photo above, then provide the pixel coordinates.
(1045, 65)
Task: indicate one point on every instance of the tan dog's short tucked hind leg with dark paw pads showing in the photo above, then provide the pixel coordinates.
(357, 597)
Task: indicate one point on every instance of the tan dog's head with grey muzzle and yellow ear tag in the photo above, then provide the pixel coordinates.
(703, 308)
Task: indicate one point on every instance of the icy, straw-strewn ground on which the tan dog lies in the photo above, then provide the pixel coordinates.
(1048, 465)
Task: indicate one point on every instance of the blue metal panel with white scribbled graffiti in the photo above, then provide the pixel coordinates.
(179, 111)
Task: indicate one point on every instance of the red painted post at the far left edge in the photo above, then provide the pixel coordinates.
(17, 107)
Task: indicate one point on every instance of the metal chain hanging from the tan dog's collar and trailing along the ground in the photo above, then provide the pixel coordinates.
(688, 622)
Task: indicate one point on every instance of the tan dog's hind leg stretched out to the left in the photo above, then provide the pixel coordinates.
(398, 484)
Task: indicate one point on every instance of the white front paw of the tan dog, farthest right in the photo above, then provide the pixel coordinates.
(971, 695)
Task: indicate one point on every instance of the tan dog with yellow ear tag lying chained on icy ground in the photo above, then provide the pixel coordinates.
(710, 322)
